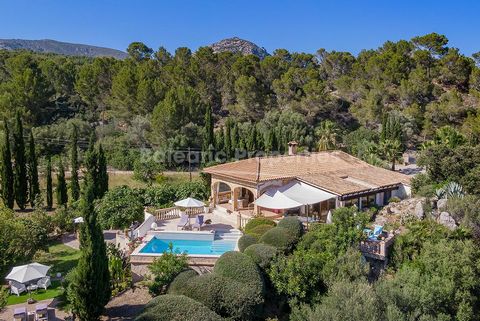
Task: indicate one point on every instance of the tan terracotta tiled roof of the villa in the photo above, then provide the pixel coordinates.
(335, 171)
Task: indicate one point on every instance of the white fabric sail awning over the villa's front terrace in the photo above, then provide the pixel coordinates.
(292, 195)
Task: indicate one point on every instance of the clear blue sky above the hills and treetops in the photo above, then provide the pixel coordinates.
(294, 25)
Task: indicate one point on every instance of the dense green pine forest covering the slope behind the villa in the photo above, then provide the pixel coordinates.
(162, 101)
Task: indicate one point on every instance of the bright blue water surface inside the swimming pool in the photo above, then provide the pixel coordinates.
(194, 247)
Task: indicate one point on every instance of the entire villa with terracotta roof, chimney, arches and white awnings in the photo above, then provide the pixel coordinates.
(306, 184)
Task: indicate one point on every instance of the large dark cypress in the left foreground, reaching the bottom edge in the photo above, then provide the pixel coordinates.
(89, 290)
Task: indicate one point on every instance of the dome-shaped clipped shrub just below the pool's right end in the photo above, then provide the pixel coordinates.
(240, 267)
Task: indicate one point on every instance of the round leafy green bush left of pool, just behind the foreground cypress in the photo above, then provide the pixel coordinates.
(119, 208)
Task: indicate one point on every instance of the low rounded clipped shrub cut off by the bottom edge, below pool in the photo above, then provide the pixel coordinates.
(176, 308)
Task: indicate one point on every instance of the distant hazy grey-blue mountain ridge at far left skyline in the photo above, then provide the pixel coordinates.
(61, 48)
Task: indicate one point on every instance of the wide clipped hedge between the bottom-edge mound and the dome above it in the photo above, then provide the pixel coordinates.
(225, 296)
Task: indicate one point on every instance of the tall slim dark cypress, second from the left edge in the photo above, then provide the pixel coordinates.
(20, 169)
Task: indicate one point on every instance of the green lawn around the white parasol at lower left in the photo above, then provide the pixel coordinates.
(62, 258)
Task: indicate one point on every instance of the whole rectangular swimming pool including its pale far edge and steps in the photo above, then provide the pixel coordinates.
(193, 243)
